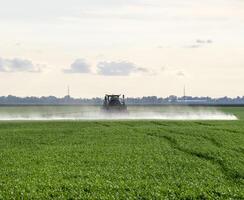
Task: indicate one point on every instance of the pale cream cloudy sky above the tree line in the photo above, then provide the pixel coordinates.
(132, 47)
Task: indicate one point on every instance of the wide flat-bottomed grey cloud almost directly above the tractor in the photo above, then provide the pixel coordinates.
(122, 68)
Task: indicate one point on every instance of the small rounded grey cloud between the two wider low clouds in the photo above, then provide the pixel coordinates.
(79, 66)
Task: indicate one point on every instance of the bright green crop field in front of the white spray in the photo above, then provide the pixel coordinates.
(151, 159)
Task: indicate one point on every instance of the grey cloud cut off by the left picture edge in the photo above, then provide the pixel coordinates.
(18, 65)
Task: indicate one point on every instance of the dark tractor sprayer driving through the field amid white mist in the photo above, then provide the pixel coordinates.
(113, 103)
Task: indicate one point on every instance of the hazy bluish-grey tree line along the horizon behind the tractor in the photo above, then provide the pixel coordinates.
(149, 100)
